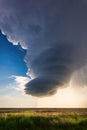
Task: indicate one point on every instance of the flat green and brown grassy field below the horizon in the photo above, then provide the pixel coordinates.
(43, 119)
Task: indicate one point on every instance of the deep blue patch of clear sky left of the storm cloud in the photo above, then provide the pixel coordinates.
(11, 61)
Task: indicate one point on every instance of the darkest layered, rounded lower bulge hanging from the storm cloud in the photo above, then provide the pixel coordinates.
(53, 69)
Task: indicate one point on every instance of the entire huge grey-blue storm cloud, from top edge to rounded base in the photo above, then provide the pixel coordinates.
(54, 35)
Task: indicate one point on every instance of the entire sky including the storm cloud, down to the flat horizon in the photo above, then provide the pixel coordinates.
(43, 53)
